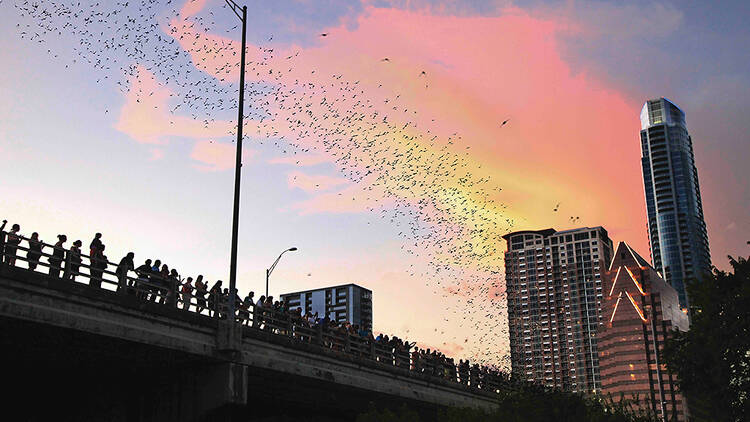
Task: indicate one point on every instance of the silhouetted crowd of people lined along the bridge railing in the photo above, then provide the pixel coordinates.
(155, 282)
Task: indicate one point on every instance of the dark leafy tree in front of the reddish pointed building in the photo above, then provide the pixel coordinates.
(712, 360)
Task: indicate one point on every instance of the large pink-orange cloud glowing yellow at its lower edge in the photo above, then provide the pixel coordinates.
(569, 134)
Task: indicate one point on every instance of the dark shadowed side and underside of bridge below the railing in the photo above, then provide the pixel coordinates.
(75, 354)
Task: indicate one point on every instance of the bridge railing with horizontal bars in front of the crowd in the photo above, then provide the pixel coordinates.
(148, 286)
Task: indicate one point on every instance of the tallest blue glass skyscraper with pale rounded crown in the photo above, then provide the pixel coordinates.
(676, 228)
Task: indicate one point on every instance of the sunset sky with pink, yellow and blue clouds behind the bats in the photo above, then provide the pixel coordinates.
(126, 128)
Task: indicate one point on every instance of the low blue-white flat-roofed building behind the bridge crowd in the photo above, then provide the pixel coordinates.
(345, 303)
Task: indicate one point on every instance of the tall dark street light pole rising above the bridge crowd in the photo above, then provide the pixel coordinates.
(238, 165)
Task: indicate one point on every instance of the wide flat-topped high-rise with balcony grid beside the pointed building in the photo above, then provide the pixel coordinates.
(554, 288)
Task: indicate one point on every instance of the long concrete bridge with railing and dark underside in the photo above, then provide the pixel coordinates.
(98, 344)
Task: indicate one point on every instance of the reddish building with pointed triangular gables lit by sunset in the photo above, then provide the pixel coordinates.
(640, 311)
